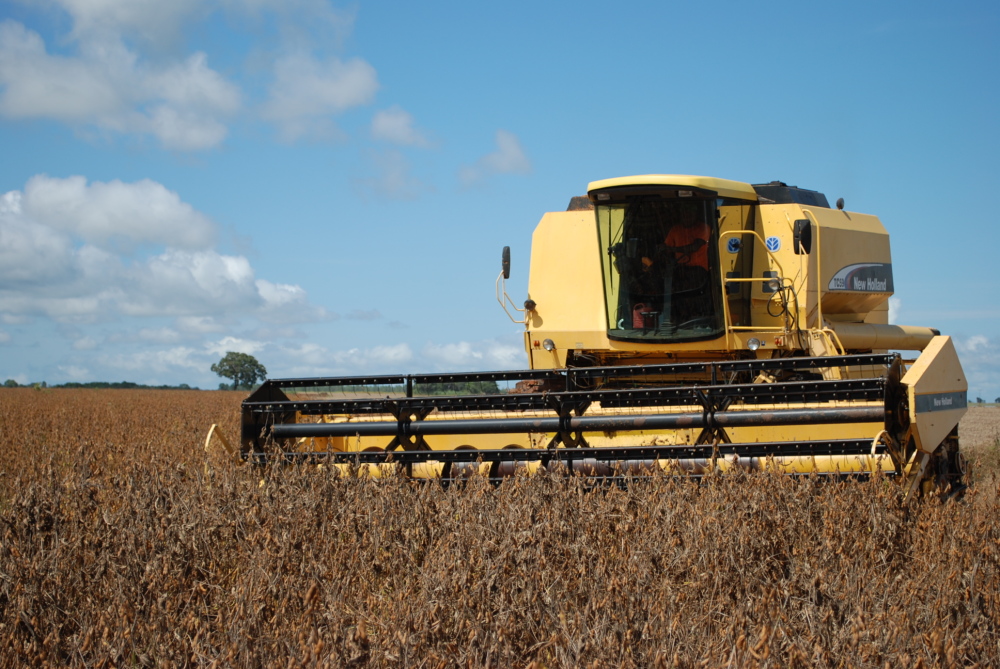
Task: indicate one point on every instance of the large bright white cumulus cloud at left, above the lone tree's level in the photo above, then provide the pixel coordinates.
(53, 260)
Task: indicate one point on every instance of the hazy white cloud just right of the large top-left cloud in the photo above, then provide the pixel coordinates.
(307, 92)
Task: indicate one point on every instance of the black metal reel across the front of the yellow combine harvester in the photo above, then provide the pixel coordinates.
(270, 415)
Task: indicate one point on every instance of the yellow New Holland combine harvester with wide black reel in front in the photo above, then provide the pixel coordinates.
(677, 323)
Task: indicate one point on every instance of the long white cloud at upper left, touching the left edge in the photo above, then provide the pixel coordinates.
(108, 86)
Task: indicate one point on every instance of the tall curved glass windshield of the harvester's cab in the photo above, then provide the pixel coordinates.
(660, 265)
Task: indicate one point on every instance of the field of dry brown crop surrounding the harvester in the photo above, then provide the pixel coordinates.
(123, 544)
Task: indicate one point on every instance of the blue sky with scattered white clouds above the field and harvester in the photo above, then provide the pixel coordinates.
(328, 186)
